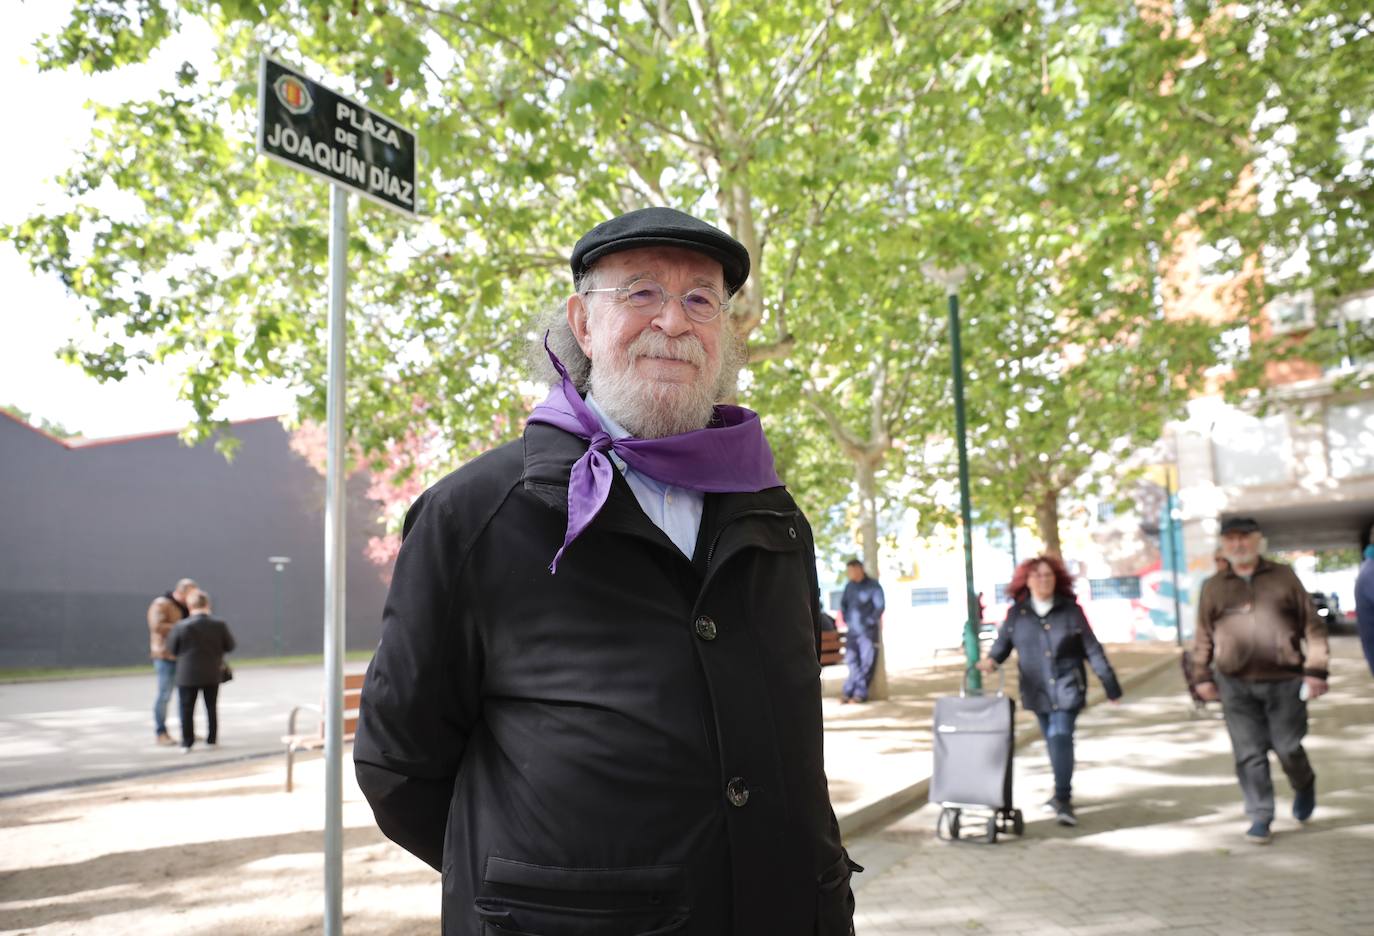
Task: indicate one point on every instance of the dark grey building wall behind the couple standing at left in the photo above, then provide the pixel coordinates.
(89, 535)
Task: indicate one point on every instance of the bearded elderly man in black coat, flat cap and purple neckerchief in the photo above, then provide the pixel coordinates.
(596, 707)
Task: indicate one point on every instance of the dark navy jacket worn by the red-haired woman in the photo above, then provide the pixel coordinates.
(1050, 655)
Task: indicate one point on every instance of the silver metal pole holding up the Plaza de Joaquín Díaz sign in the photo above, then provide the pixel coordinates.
(335, 572)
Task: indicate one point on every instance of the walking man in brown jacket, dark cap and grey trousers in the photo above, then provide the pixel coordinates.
(1254, 622)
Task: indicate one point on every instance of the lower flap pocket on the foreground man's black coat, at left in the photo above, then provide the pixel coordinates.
(523, 900)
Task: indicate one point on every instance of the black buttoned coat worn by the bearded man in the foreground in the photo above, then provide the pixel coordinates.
(630, 747)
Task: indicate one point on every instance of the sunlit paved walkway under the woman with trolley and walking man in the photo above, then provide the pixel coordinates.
(1160, 840)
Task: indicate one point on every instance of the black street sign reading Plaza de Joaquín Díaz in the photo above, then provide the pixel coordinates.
(310, 127)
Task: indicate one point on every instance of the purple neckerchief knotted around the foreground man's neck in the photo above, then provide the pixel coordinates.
(728, 458)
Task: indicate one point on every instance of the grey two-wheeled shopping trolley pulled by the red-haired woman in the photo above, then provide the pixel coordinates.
(972, 779)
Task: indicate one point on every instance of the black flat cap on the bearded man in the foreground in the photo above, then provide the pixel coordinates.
(663, 227)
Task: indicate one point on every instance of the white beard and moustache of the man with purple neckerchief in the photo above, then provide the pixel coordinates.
(652, 409)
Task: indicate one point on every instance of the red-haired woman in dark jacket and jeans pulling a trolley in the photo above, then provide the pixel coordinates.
(1052, 638)
